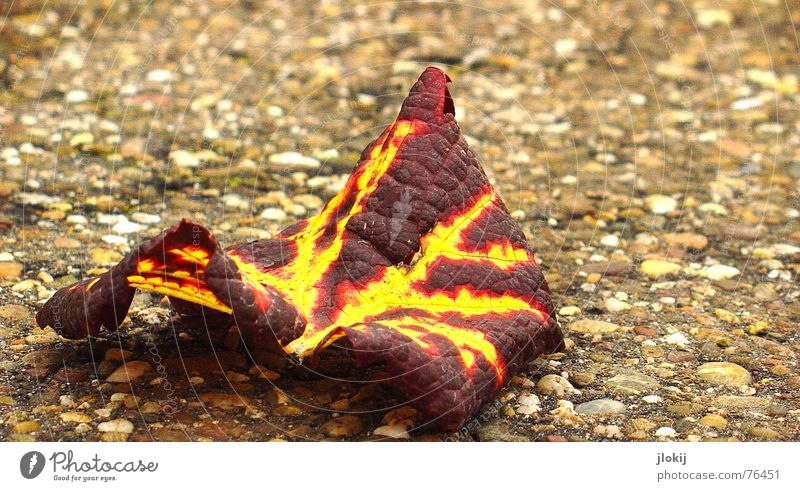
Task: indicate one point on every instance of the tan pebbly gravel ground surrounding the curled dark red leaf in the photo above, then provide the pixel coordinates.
(650, 150)
